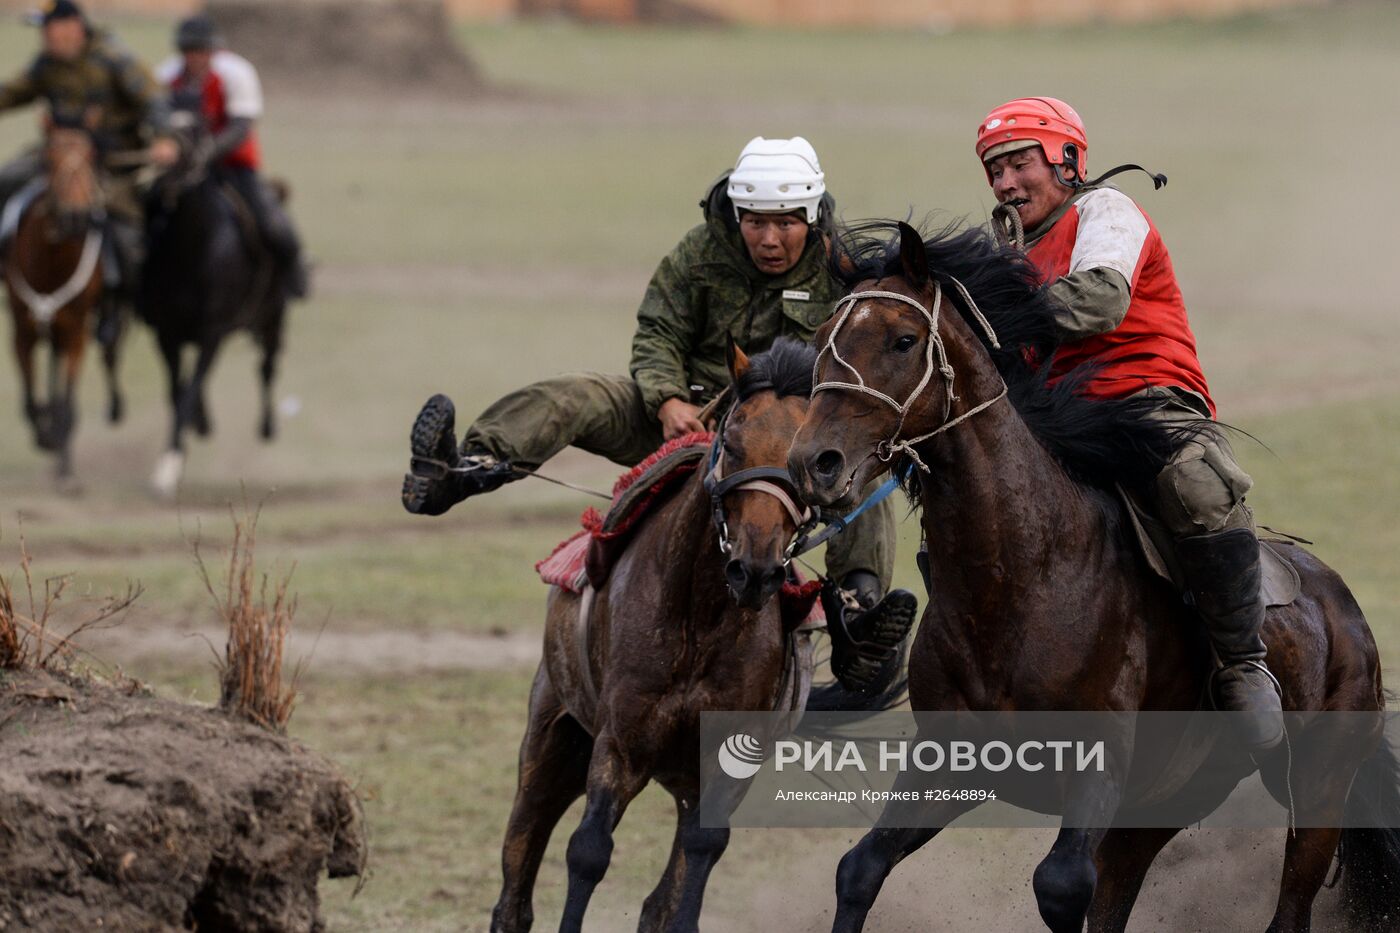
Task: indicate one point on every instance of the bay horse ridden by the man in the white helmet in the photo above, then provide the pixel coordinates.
(680, 628)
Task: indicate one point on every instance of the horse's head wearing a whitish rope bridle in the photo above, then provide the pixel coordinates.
(887, 376)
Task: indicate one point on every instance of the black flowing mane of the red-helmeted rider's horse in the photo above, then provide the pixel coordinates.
(1097, 442)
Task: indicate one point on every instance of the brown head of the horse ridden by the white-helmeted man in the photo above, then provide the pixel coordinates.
(757, 511)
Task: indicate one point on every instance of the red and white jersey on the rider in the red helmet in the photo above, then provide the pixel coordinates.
(1154, 344)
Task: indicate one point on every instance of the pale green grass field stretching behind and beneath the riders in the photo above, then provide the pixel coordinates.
(472, 246)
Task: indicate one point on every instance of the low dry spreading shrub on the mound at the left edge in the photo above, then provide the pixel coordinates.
(27, 638)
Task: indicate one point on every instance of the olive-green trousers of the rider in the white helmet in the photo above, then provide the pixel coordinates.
(605, 415)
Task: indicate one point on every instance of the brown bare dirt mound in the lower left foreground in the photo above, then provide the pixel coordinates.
(120, 810)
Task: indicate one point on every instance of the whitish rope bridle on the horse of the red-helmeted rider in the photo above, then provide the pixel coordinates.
(887, 449)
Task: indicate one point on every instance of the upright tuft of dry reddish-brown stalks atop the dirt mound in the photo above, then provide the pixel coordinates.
(258, 611)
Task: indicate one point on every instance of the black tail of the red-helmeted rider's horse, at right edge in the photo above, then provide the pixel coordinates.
(1370, 859)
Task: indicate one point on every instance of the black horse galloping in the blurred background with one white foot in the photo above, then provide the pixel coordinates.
(206, 277)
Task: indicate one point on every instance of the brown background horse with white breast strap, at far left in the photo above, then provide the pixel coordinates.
(54, 277)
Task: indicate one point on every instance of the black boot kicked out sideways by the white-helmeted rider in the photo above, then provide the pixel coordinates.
(440, 476)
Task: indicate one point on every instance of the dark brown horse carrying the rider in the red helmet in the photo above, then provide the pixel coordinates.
(1039, 599)
